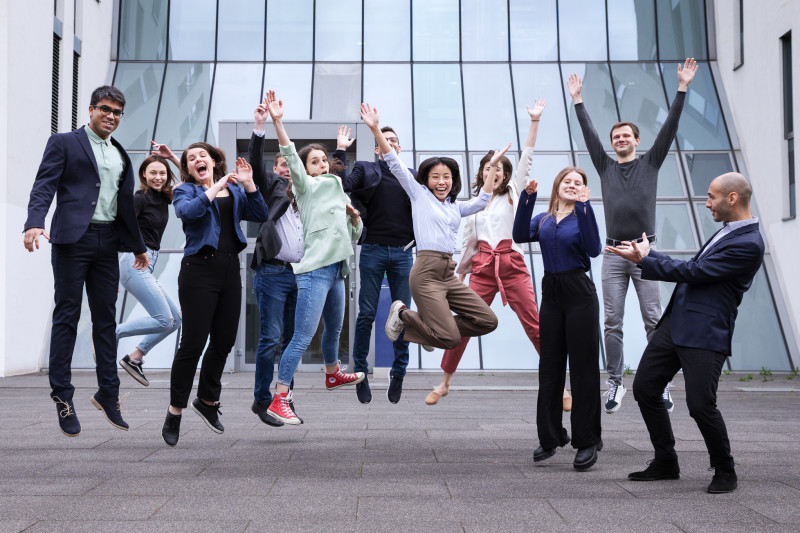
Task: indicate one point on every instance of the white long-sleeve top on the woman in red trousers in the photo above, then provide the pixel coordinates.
(495, 223)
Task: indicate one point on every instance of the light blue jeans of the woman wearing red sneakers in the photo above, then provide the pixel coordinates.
(320, 293)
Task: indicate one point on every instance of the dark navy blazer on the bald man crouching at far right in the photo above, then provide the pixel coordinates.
(709, 289)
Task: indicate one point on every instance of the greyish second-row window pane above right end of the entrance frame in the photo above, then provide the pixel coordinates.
(337, 92)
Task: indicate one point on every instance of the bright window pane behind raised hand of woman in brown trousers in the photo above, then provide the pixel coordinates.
(388, 88)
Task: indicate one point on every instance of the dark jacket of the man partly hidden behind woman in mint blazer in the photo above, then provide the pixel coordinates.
(273, 190)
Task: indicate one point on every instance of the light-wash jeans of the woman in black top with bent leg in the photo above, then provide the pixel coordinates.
(163, 313)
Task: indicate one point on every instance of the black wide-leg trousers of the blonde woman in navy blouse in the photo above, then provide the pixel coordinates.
(569, 327)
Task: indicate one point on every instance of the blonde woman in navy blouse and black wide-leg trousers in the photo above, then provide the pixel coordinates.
(569, 319)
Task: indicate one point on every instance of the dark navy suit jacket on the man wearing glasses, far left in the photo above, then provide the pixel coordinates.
(69, 170)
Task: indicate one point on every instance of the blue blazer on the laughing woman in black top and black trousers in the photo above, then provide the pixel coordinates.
(200, 216)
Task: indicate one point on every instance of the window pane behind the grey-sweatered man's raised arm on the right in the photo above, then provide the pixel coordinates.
(702, 126)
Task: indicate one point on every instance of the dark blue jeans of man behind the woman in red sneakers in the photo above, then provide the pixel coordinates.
(276, 291)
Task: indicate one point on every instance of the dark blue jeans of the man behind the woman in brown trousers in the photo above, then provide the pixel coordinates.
(375, 261)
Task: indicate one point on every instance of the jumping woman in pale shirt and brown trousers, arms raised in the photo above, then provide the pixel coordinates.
(435, 290)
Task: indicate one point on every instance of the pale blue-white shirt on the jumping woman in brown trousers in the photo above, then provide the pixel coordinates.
(435, 223)
